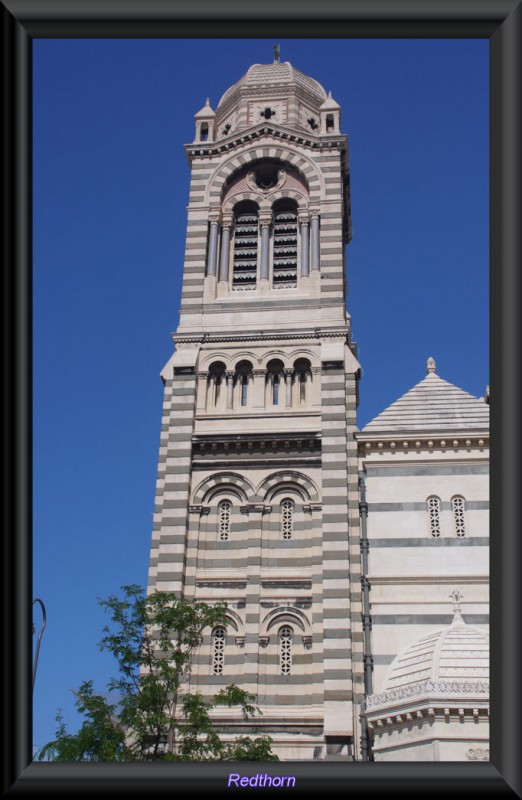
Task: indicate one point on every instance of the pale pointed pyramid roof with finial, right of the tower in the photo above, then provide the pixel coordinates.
(432, 405)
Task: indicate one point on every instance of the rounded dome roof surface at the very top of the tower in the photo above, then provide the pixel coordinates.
(269, 76)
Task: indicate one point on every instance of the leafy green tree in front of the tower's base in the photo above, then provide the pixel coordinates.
(153, 640)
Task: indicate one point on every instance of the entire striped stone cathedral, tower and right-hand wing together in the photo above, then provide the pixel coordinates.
(353, 563)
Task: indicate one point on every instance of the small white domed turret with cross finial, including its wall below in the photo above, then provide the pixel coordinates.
(435, 697)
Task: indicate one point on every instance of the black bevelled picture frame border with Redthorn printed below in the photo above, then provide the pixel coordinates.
(498, 20)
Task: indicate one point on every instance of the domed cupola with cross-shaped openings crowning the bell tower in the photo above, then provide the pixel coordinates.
(276, 92)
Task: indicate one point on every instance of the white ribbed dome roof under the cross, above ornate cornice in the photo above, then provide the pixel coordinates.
(457, 652)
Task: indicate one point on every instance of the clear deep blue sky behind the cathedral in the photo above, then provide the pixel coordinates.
(110, 194)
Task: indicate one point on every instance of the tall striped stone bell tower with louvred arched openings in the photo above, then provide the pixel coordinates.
(257, 493)
